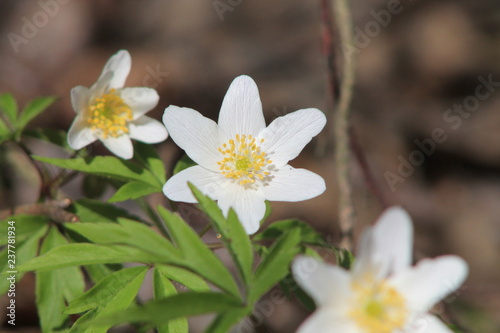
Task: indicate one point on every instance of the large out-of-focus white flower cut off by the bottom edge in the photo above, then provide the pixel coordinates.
(382, 293)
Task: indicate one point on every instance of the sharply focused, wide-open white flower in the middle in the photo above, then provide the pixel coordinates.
(241, 162)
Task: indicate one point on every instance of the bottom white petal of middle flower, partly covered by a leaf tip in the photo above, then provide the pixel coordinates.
(249, 205)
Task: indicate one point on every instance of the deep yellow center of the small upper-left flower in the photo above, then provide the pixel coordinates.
(109, 115)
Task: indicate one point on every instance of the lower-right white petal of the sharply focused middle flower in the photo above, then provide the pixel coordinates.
(290, 184)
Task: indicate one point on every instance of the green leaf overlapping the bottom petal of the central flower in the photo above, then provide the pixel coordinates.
(233, 234)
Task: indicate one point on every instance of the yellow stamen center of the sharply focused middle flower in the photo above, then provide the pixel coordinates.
(243, 160)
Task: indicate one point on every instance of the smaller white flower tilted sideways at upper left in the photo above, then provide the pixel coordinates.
(113, 114)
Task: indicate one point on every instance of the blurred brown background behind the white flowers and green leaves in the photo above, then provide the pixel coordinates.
(426, 102)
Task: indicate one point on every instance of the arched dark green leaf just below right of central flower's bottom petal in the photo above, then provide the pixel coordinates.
(307, 234)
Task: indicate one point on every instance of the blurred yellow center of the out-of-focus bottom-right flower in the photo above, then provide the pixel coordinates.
(378, 308)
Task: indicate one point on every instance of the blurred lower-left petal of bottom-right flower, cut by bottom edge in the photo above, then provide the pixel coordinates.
(328, 321)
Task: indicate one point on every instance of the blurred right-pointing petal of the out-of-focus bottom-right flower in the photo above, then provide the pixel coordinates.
(430, 281)
